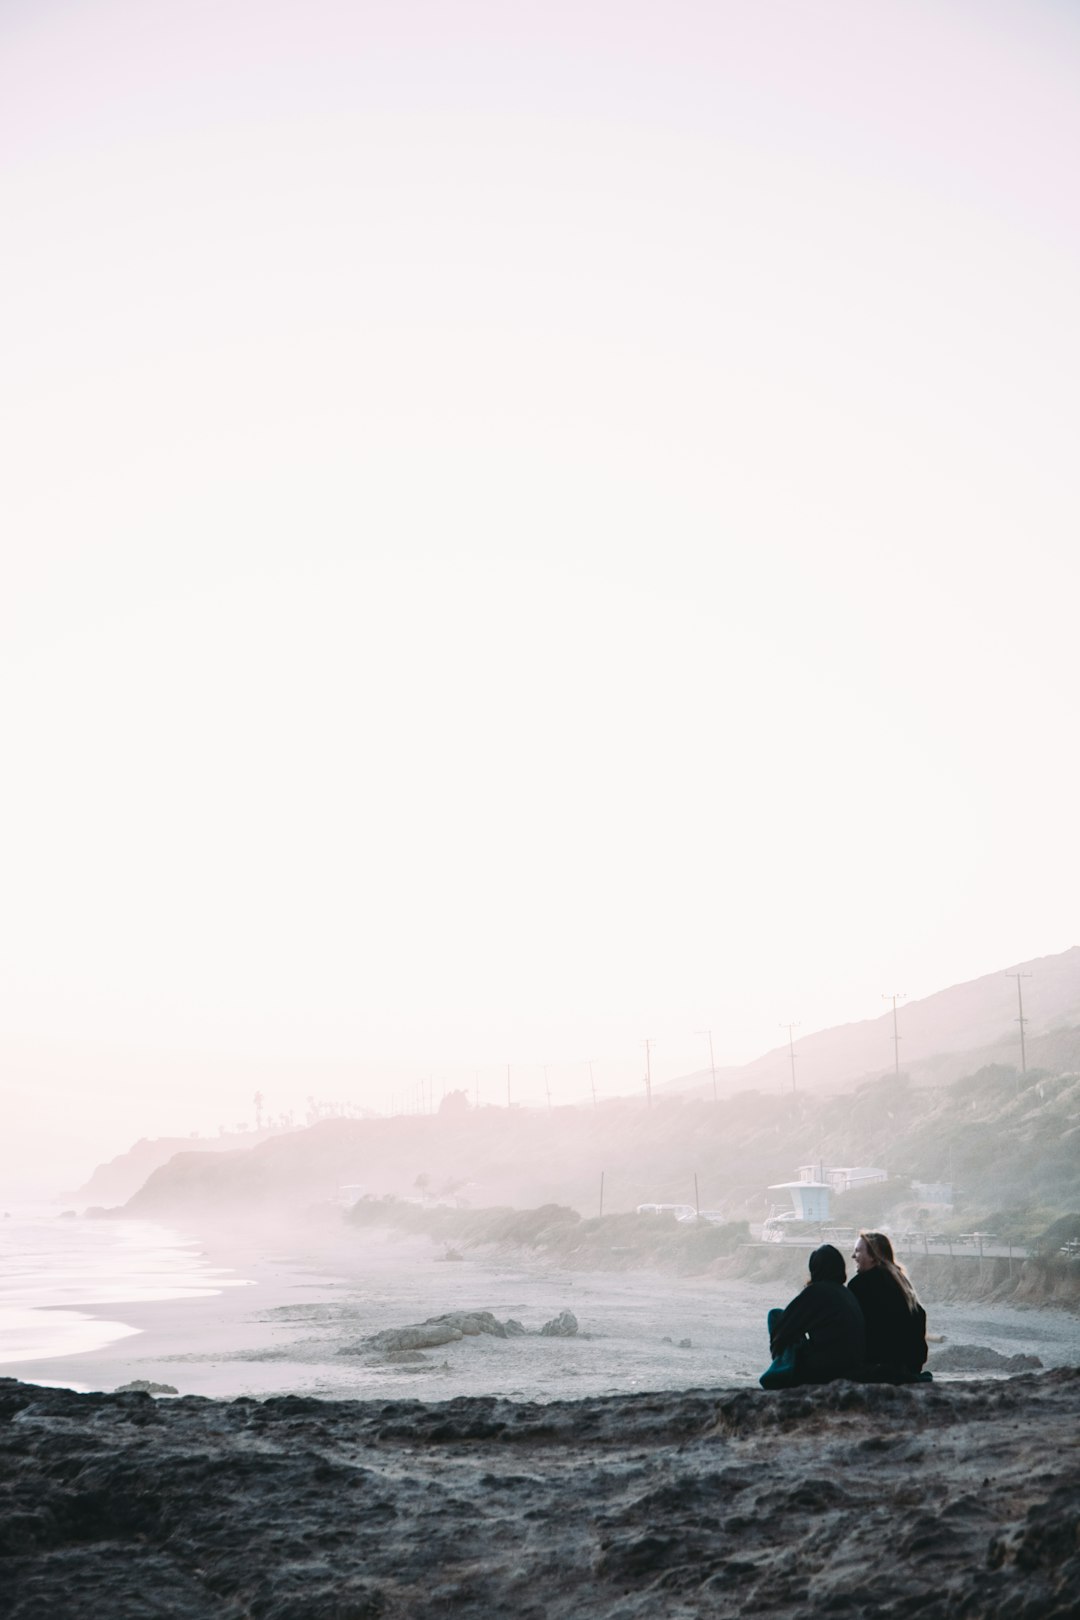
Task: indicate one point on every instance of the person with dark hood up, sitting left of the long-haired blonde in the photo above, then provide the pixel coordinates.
(822, 1334)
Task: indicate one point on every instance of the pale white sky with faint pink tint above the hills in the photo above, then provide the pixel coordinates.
(525, 529)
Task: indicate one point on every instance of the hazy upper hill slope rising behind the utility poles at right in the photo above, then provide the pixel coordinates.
(942, 1038)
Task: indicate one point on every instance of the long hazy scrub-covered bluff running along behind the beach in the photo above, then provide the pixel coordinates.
(1008, 1145)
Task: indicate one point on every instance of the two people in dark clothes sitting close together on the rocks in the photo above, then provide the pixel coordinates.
(872, 1331)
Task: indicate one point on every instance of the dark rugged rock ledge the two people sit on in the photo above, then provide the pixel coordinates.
(940, 1501)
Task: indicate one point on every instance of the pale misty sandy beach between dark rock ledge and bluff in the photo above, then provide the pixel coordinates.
(299, 1315)
